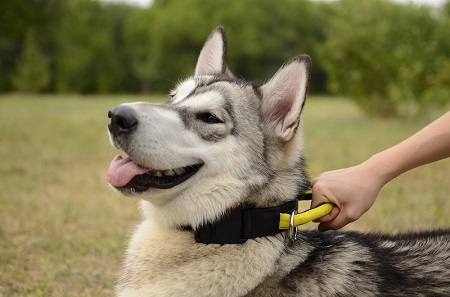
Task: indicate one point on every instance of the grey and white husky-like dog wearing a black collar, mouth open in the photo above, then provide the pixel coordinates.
(212, 166)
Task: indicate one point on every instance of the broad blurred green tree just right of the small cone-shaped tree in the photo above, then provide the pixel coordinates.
(91, 54)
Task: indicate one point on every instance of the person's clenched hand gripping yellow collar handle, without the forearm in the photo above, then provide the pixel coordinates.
(352, 191)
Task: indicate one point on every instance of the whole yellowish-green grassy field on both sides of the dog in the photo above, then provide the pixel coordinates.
(63, 230)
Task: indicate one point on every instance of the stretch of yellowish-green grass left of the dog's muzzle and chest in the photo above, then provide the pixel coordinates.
(62, 230)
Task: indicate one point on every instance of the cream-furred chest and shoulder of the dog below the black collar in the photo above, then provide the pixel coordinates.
(171, 263)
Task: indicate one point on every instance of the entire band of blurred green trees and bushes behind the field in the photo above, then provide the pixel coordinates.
(391, 58)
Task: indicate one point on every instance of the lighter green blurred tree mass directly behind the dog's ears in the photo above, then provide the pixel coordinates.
(262, 35)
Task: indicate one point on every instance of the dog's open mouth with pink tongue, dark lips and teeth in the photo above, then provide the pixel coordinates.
(126, 174)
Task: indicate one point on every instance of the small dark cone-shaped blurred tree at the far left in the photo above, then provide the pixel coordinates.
(33, 72)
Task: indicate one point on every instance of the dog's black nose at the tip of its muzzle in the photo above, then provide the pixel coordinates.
(123, 120)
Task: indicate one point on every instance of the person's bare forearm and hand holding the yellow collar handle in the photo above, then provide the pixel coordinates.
(353, 190)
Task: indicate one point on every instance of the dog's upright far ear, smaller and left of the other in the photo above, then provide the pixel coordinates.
(213, 56)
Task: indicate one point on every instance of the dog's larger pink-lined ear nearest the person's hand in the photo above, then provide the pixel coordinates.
(284, 96)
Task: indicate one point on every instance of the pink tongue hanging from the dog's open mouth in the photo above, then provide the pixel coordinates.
(121, 171)
